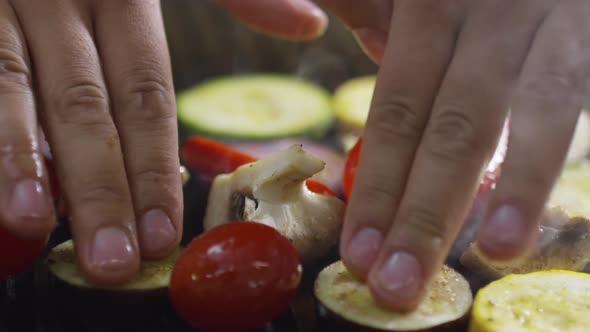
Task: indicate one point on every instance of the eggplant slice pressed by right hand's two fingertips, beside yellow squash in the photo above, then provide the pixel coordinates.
(346, 304)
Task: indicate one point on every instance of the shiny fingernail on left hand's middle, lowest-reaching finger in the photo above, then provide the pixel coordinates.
(112, 249)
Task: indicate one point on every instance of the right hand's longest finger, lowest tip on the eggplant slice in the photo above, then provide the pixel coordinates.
(465, 123)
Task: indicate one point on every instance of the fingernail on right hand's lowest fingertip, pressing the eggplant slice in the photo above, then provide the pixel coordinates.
(400, 277)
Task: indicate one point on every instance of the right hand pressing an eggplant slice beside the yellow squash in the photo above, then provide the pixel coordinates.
(450, 70)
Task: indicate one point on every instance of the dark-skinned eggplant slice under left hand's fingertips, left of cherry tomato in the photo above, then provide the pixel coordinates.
(139, 301)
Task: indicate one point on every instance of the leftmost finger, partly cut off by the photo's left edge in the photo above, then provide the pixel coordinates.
(25, 197)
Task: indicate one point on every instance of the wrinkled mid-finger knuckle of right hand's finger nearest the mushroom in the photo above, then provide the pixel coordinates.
(396, 118)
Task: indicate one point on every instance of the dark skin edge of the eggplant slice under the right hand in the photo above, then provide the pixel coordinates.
(327, 320)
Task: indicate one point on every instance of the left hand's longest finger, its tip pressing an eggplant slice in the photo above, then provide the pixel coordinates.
(84, 140)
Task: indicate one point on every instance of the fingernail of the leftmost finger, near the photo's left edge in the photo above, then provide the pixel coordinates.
(28, 200)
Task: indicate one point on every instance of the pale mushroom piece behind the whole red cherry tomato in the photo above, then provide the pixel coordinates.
(272, 191)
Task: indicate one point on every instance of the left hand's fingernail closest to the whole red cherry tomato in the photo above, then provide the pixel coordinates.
(156, 232)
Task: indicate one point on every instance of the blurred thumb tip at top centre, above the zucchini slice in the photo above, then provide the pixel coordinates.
(290, 19)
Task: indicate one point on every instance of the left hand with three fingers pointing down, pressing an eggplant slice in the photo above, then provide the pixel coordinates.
(96, 75)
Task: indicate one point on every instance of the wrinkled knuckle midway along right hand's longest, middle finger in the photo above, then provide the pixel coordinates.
(452, 136)
